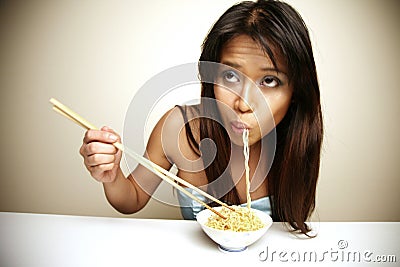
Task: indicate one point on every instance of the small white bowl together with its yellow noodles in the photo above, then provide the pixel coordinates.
(240, 229)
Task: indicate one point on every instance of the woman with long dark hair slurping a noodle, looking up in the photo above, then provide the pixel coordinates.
(264, 80)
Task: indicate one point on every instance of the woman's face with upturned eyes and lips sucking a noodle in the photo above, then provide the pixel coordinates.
(251, 93)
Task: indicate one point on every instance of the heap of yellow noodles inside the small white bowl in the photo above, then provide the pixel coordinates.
(240, 220)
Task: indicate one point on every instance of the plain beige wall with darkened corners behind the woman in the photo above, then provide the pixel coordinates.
(94, 55)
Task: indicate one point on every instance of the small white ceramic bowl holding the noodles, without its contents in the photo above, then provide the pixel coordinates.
(231, 241)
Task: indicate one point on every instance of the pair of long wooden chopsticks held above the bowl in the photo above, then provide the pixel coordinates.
(156, 169)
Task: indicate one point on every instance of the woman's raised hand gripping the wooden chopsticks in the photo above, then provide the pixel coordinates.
(101, 157)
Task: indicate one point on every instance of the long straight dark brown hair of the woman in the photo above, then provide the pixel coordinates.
(293, 176)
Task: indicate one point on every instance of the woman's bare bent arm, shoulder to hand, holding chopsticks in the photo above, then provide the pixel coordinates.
(102, 159)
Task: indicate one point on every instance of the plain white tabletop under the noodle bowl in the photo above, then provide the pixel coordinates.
(60, 240)
